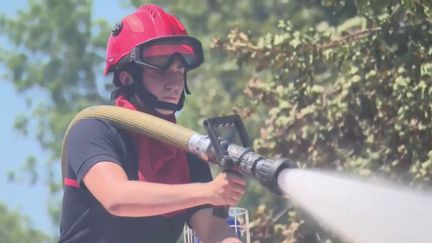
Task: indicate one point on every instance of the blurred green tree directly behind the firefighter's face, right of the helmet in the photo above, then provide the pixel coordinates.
(217, 87)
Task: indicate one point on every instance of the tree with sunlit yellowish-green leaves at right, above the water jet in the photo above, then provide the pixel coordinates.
(349, 93)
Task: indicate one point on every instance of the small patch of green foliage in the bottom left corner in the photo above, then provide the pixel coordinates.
(15, 228)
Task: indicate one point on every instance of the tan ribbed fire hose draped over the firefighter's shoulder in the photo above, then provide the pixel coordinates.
(135, 121)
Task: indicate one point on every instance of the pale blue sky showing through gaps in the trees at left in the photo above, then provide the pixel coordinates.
(31, 201)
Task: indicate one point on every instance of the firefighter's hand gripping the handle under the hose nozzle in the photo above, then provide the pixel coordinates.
(226, 189)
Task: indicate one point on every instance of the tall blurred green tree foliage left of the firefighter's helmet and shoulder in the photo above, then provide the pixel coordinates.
(56, 55)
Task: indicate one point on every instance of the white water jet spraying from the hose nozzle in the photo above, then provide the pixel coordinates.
(360, 211)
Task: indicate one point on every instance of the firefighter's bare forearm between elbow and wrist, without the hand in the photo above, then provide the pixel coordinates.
(139, 199)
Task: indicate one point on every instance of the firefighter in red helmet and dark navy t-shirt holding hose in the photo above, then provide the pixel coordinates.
(125, 187)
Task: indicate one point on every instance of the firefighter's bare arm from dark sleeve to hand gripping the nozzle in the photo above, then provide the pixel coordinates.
(109, 184)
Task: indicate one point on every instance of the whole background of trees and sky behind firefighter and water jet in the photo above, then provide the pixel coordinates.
(337, 84)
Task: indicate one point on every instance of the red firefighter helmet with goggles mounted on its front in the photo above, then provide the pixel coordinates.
(151, 37)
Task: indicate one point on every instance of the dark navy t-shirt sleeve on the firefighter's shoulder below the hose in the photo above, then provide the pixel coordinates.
(91, 141)
